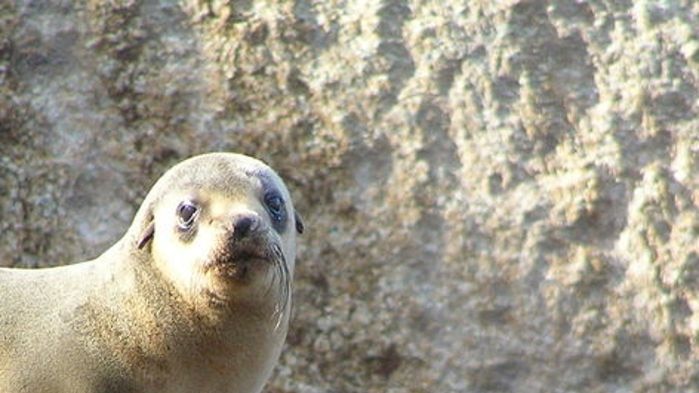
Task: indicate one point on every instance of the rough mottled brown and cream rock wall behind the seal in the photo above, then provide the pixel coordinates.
(499, 196)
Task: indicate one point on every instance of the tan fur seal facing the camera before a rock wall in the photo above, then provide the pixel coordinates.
(195, 297)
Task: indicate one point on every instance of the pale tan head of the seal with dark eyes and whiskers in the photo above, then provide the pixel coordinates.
(222, 228)
